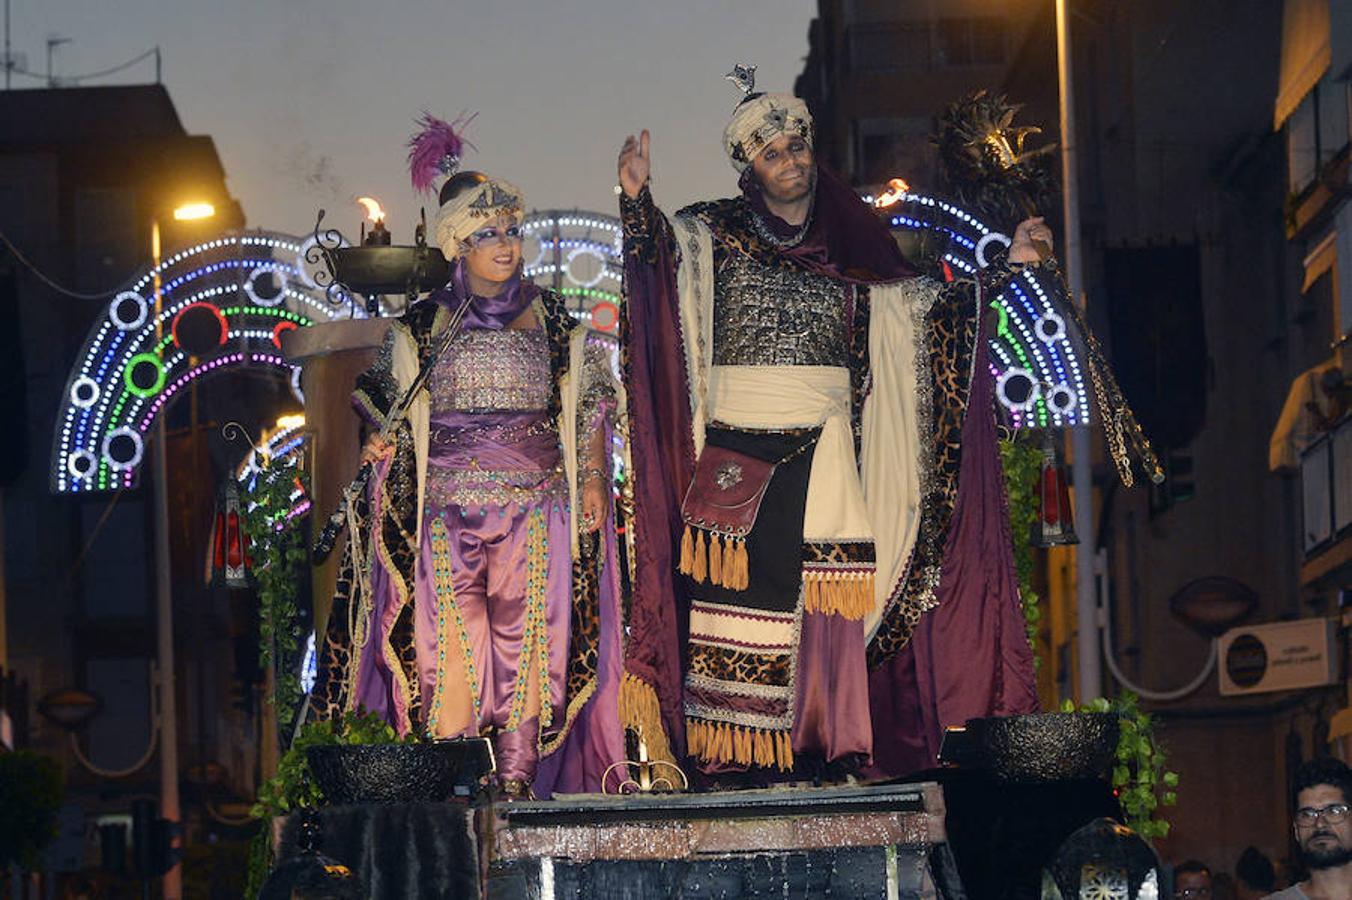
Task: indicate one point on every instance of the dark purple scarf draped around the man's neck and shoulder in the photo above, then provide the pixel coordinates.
(846, 239)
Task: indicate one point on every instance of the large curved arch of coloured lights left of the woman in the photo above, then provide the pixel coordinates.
(231, 299)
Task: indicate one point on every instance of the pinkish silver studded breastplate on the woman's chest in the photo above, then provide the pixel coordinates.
(493, 371)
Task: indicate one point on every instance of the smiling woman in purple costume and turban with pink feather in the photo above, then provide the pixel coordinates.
(479, 594)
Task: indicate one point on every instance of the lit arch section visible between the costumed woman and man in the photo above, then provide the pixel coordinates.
(582, 256)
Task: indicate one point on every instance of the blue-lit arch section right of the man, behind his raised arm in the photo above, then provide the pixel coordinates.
(1035, 360)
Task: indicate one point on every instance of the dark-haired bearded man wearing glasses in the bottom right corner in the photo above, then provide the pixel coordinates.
(1323, 832)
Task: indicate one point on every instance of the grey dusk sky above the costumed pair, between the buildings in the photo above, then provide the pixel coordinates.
(312, 102)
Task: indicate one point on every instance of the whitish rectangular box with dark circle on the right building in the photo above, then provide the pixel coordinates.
(1280, 656)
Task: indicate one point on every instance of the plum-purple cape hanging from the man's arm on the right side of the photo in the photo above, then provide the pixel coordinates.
(969, 657)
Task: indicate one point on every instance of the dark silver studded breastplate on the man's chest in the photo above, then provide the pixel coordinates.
(770, 317)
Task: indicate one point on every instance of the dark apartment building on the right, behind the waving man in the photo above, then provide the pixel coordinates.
(1211, 236)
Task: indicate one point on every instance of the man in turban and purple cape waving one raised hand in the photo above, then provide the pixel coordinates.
(816, 474)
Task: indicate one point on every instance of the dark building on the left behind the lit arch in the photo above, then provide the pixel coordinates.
(84, 174)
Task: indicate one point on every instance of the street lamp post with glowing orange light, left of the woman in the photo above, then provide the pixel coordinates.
(170, 807)
